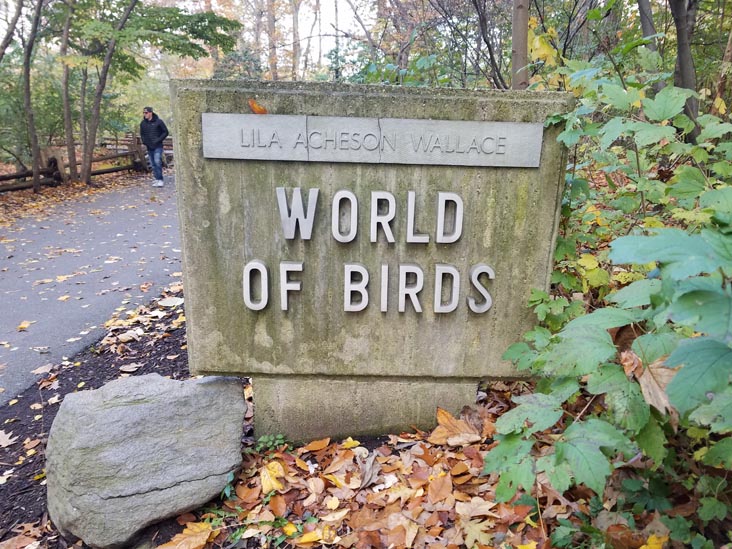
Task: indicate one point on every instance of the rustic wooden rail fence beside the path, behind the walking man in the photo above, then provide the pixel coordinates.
(54, 170)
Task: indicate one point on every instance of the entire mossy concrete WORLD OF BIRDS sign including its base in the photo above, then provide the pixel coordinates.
(352, 252)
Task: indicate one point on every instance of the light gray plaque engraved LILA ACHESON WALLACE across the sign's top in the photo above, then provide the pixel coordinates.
(371, 140)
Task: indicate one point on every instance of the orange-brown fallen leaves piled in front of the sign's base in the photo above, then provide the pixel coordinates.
(418, 490)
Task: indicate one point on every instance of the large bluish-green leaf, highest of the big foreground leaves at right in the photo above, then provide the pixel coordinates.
(684, 255)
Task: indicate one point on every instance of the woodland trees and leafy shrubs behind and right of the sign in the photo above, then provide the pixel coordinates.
(632, 407)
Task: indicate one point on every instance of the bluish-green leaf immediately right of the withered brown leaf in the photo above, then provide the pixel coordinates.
(707, 364)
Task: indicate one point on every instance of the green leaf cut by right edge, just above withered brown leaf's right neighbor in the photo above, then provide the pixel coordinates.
(708, 312)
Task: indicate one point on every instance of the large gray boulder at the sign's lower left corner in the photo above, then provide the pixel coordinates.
(140, 450)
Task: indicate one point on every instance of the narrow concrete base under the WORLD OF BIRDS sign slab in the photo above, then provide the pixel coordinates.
(306, 408)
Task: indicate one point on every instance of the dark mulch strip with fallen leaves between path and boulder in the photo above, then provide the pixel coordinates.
(161, 349)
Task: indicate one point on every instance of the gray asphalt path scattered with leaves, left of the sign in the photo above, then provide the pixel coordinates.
(62, 277)
